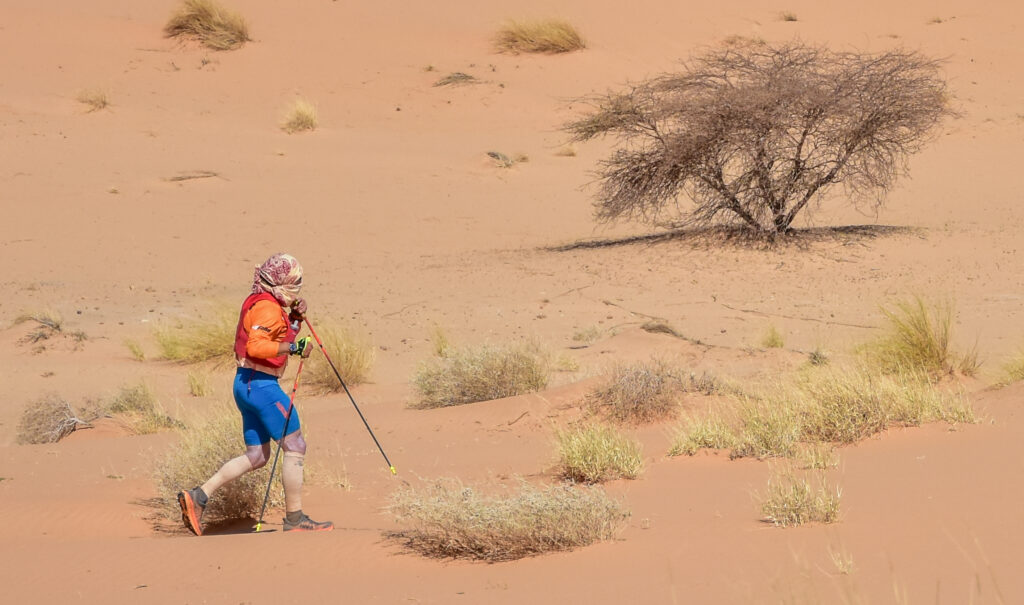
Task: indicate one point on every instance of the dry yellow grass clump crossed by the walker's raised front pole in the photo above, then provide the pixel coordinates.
(353, 356)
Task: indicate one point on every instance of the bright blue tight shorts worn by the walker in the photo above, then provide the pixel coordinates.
(264, 406)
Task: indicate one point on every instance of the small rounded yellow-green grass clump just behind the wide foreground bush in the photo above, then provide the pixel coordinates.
(598, 454)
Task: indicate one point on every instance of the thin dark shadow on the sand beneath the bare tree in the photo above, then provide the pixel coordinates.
(743, 238)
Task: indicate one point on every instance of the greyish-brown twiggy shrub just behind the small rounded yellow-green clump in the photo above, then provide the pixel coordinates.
(647, 393)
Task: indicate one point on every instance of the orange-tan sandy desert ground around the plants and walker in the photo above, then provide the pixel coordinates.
(404, 224)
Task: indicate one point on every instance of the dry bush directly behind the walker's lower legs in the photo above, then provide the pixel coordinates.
(203, 450)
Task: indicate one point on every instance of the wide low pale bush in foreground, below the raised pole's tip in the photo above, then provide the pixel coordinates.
(450, 521)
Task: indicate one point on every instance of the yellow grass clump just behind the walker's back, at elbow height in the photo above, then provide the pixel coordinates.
(209, 338)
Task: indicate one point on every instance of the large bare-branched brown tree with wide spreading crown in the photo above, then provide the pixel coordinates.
(753, 134)
